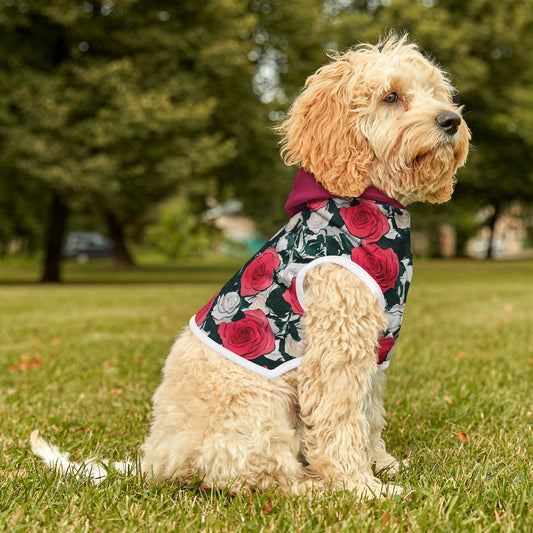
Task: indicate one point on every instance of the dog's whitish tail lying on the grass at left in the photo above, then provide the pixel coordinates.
(95, 471)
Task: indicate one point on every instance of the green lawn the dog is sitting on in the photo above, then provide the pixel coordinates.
(81, 360)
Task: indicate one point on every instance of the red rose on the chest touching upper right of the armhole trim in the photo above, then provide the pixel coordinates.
(381, 263)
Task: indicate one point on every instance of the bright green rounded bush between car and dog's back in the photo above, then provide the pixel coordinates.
(179, 233)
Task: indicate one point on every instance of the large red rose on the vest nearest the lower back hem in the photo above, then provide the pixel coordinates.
(248, 337)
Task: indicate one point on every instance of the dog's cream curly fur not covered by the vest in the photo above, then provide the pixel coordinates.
(318, 426)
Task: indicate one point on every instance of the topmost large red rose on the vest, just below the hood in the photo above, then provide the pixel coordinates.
(365, 221)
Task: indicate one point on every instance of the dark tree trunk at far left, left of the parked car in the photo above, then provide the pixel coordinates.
(55, 233)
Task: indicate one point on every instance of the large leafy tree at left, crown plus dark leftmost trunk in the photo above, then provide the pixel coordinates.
(105, 106)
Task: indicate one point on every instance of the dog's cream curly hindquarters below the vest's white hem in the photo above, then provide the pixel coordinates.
(215, 419)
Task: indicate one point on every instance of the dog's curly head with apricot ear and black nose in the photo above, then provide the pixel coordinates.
(378, 115)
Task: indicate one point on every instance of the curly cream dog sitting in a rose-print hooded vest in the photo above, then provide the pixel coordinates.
(279, 379)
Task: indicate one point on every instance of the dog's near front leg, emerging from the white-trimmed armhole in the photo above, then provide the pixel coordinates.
(343, 323)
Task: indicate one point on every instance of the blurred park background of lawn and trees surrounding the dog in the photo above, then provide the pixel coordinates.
(152, 123)
